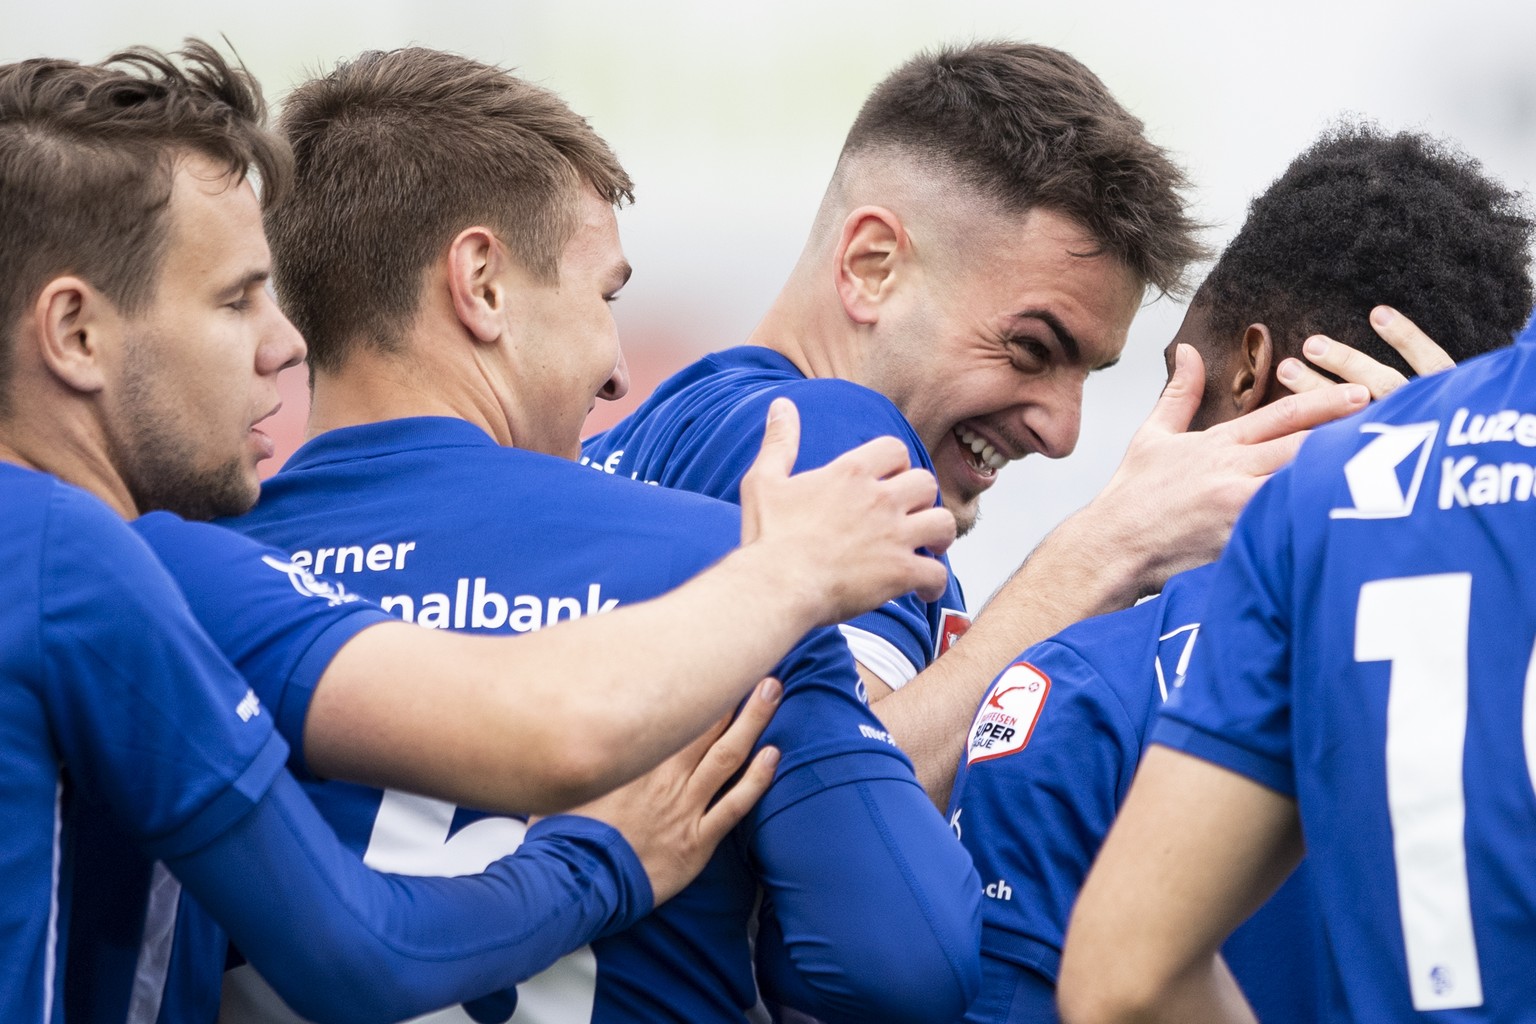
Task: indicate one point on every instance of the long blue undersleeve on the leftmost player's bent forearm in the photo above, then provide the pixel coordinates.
(343, 943)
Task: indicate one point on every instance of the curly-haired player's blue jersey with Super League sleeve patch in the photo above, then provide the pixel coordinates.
(1048, 762)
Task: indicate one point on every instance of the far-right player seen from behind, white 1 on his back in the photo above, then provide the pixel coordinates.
(1363, 695)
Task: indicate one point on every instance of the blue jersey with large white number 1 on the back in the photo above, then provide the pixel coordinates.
(1369, 652)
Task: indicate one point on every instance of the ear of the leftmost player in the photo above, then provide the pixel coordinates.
(73, 328)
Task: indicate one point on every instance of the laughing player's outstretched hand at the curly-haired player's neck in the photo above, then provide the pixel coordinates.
(1171, 504)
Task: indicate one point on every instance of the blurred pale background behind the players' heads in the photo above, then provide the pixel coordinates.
(730, 117)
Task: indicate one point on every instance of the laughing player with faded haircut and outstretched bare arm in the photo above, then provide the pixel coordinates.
(991, 230)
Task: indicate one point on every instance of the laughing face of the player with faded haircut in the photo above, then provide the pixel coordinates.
(990, 363)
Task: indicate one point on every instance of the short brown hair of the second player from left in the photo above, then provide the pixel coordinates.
(396, 154)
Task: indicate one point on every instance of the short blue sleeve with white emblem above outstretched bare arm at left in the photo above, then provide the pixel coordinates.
(277, 624)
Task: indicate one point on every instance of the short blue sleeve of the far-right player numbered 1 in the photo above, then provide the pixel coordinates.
(1243, 724)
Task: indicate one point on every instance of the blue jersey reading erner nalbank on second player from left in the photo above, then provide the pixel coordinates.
(449, 530)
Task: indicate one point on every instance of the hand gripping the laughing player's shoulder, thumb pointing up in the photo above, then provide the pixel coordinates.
(846, 533)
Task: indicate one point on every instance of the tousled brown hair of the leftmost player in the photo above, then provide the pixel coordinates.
(87, 165)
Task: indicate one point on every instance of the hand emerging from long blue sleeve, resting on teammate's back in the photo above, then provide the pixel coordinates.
(670, 816)
